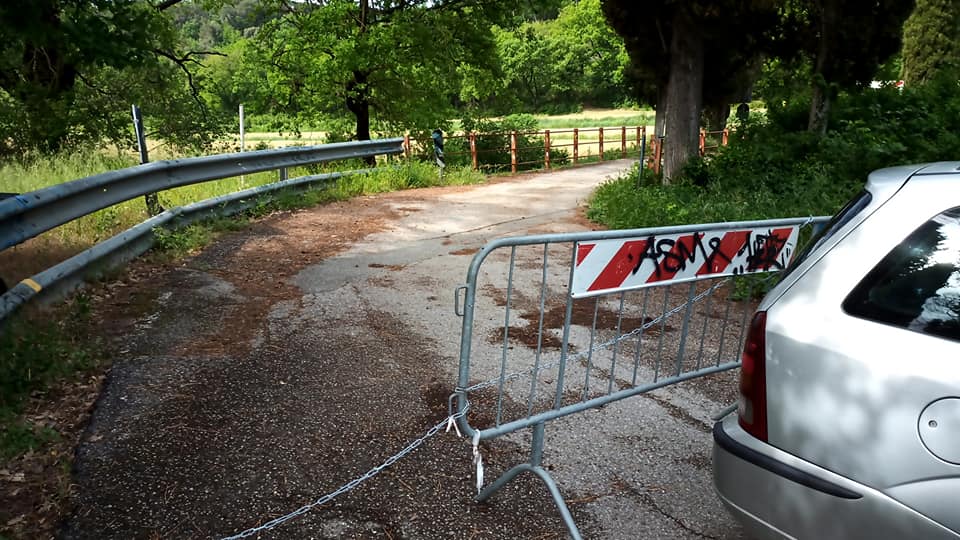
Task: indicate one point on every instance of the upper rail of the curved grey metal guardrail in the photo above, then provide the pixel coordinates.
(27, 215)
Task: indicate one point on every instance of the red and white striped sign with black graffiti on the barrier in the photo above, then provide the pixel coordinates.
(606, 266)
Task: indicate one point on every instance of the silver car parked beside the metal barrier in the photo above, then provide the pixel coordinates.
(848, 424)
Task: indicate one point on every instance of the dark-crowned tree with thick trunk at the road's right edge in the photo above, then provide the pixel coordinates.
(669, 42)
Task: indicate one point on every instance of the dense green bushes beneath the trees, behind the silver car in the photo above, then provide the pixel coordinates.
(769, 171)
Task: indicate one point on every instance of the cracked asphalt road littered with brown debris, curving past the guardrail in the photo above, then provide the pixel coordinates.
(284, 361)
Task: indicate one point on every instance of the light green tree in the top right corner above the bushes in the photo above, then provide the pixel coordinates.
(931, 40)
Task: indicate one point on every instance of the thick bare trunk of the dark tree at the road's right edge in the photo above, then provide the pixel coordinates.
(684, 96)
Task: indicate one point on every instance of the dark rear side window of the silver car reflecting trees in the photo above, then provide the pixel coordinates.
(917, 285)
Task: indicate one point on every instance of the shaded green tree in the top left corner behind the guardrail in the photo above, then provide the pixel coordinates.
(56, 52)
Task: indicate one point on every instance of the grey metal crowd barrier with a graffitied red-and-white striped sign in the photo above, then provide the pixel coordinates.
(562, 323)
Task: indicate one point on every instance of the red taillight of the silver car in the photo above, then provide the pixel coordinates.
(752, 410)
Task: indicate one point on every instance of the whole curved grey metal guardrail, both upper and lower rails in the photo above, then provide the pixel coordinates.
(27, 215)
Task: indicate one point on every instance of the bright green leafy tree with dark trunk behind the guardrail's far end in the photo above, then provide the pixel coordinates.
(395, 61)
